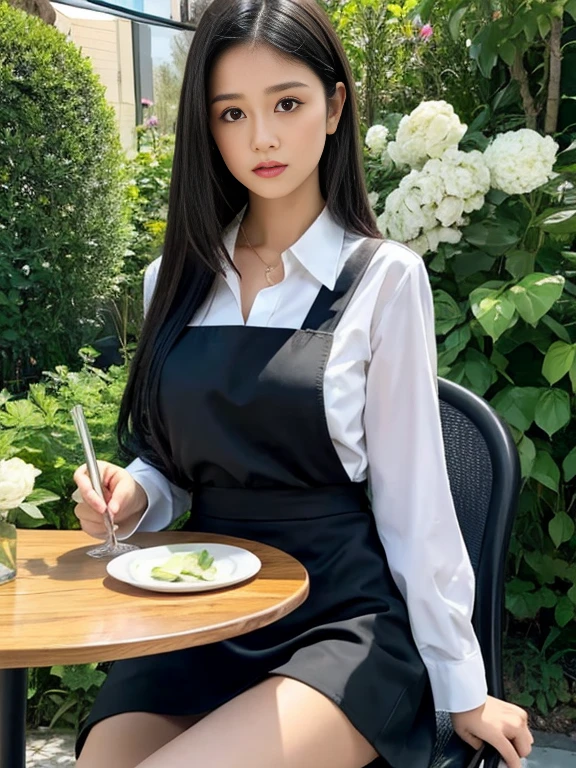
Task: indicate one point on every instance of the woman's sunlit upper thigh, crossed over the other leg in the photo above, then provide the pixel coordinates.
(280, 723)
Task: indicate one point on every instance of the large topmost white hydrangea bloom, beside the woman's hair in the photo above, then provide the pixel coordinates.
(428, 131)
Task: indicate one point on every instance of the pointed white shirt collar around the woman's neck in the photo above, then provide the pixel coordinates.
(318, 249)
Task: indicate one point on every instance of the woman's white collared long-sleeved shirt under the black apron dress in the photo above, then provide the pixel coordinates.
(382, 410)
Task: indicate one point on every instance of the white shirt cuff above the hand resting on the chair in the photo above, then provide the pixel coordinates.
(458, 686)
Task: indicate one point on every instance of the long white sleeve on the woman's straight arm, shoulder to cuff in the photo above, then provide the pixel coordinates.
(411, 495)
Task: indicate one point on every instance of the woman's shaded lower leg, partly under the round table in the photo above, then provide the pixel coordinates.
(124, 741)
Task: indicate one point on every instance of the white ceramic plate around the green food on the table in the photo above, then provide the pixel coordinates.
(233, 565)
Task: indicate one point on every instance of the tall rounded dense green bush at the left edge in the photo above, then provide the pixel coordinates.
(63, 212)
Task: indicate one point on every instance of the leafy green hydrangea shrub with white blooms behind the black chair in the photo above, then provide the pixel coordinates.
(496, 229)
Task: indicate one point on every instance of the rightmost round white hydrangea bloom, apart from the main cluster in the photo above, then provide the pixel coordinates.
(520, 161)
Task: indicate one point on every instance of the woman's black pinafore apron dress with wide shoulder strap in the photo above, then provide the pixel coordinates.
(244, 414)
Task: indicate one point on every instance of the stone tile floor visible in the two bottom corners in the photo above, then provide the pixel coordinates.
(47, 749)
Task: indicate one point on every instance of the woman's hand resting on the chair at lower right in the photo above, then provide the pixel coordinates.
(496, 722)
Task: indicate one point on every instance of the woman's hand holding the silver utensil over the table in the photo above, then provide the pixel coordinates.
(126, 499)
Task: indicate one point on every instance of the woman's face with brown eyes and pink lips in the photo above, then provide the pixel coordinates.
(264, 107)
